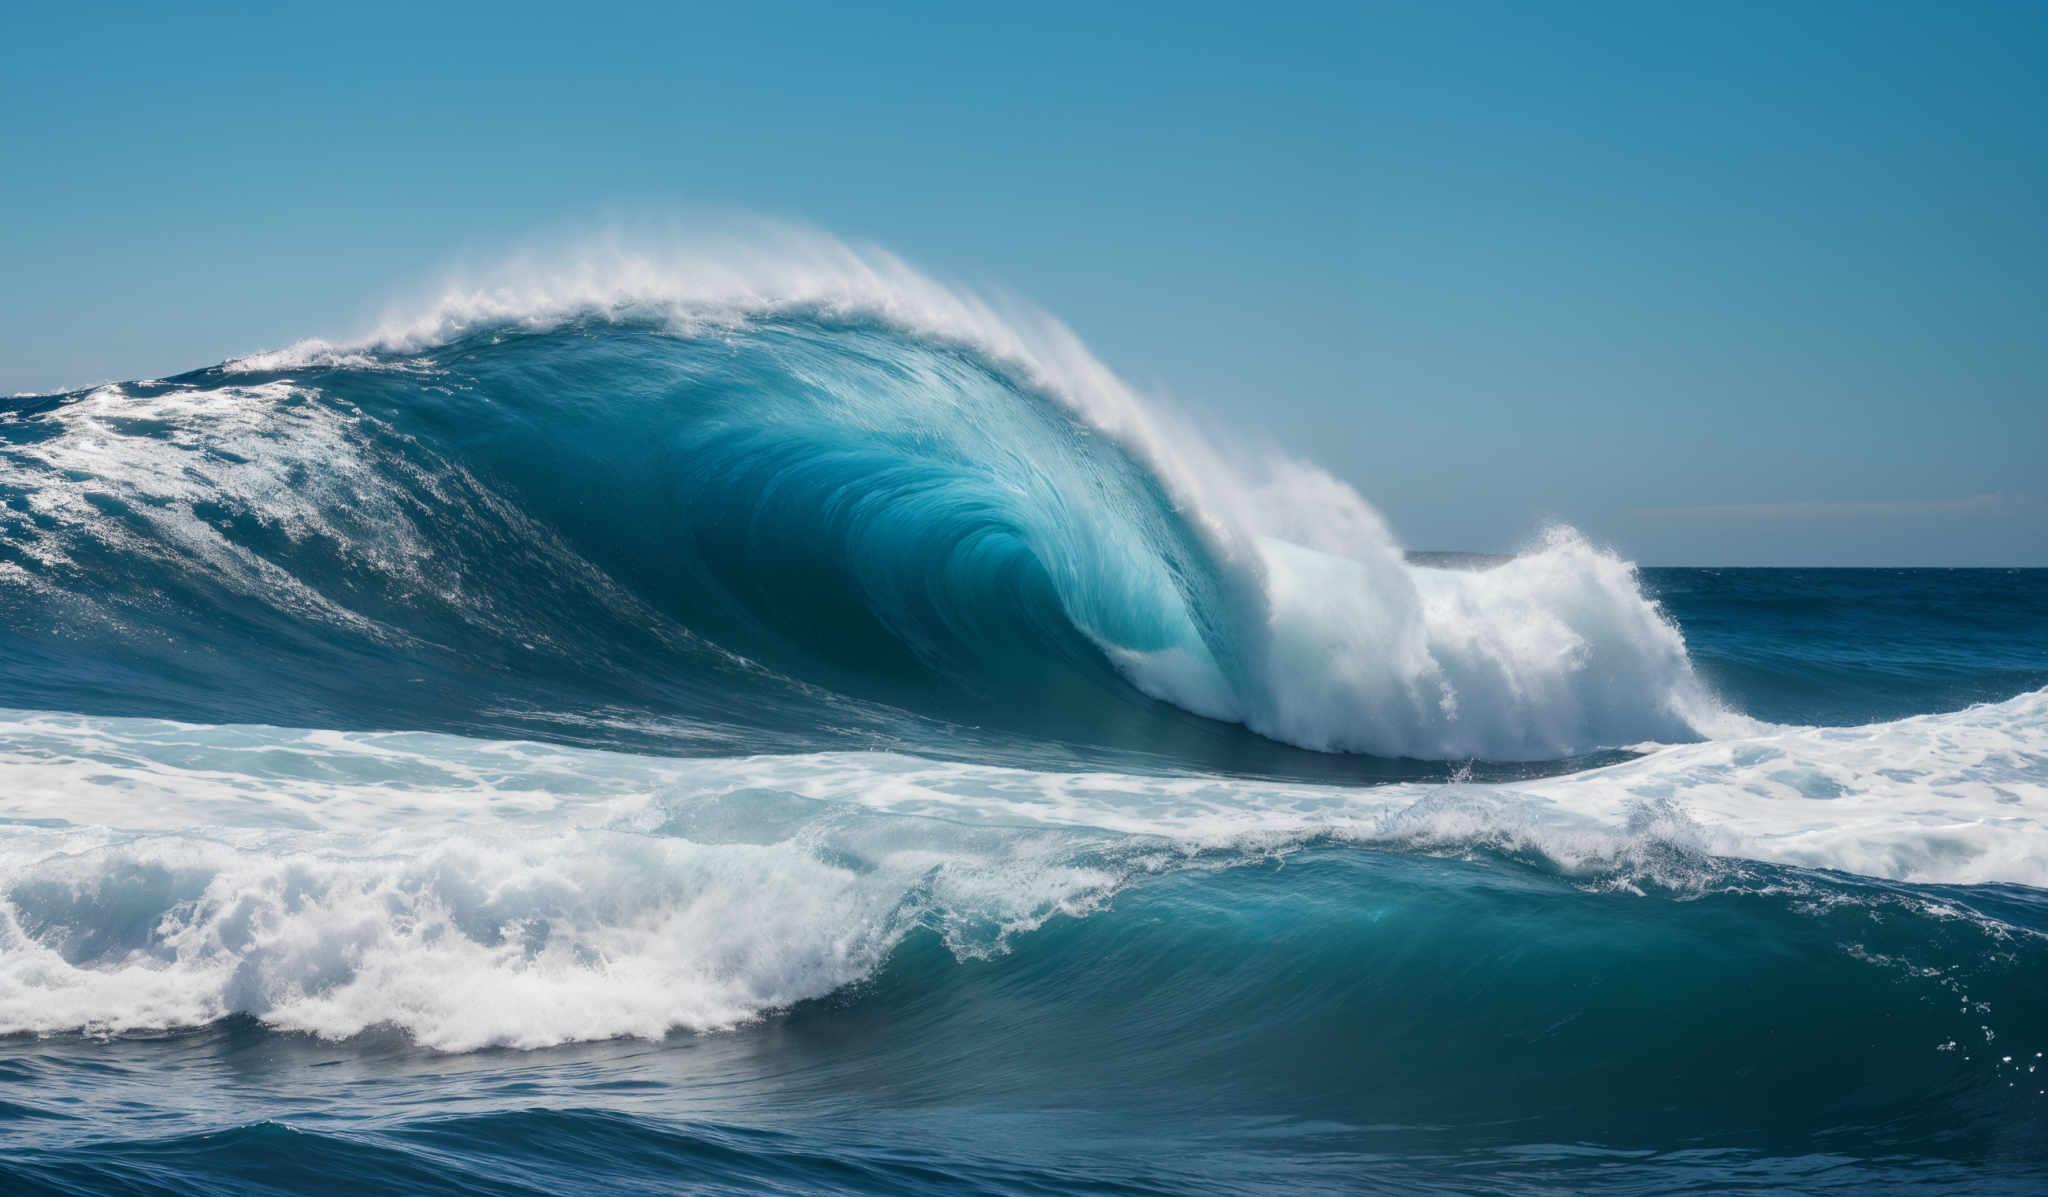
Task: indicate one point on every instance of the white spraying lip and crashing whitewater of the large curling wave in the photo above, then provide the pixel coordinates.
(1314, 628)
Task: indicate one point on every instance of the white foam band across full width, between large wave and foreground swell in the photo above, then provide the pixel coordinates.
(507, 893)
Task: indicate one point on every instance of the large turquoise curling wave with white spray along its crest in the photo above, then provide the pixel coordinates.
(828, 466)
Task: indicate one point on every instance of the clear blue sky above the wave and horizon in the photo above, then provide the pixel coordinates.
(1719, 284)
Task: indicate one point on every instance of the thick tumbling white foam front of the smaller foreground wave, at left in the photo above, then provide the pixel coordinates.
(466, 942)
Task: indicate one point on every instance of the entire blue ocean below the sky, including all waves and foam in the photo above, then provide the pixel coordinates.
(800, 731)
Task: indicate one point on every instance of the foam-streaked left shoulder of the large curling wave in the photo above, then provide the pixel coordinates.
(148, 474)
